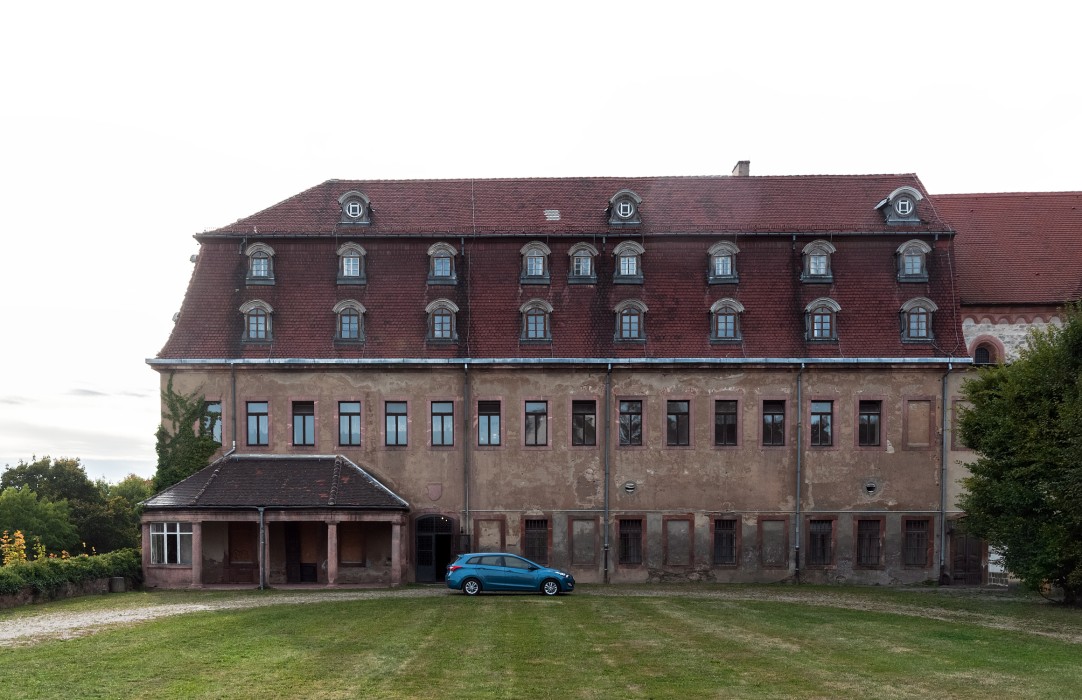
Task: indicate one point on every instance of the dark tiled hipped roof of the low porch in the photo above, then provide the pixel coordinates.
(321, 482)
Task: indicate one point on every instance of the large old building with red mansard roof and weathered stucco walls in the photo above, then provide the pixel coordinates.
(776, 404)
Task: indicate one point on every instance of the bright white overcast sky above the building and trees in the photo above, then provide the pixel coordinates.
(127, 128)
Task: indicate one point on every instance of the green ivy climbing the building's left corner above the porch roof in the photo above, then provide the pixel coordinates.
(190, 446)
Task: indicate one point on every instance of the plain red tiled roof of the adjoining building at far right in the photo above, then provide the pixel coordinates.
(1019, 248)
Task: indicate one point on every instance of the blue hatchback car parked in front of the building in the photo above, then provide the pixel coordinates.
(500, 572)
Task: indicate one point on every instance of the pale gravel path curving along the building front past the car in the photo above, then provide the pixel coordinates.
(24, 628)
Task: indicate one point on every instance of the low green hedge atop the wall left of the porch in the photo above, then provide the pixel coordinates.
(44, 576)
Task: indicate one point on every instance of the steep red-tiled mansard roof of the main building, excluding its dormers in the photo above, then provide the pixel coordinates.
(770, 219)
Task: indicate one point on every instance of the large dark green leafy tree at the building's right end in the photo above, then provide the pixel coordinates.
(1025, 494)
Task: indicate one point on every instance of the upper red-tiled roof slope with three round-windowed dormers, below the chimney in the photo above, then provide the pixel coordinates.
(716, 204)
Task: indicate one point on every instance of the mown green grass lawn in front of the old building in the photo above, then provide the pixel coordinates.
(675, 642)
